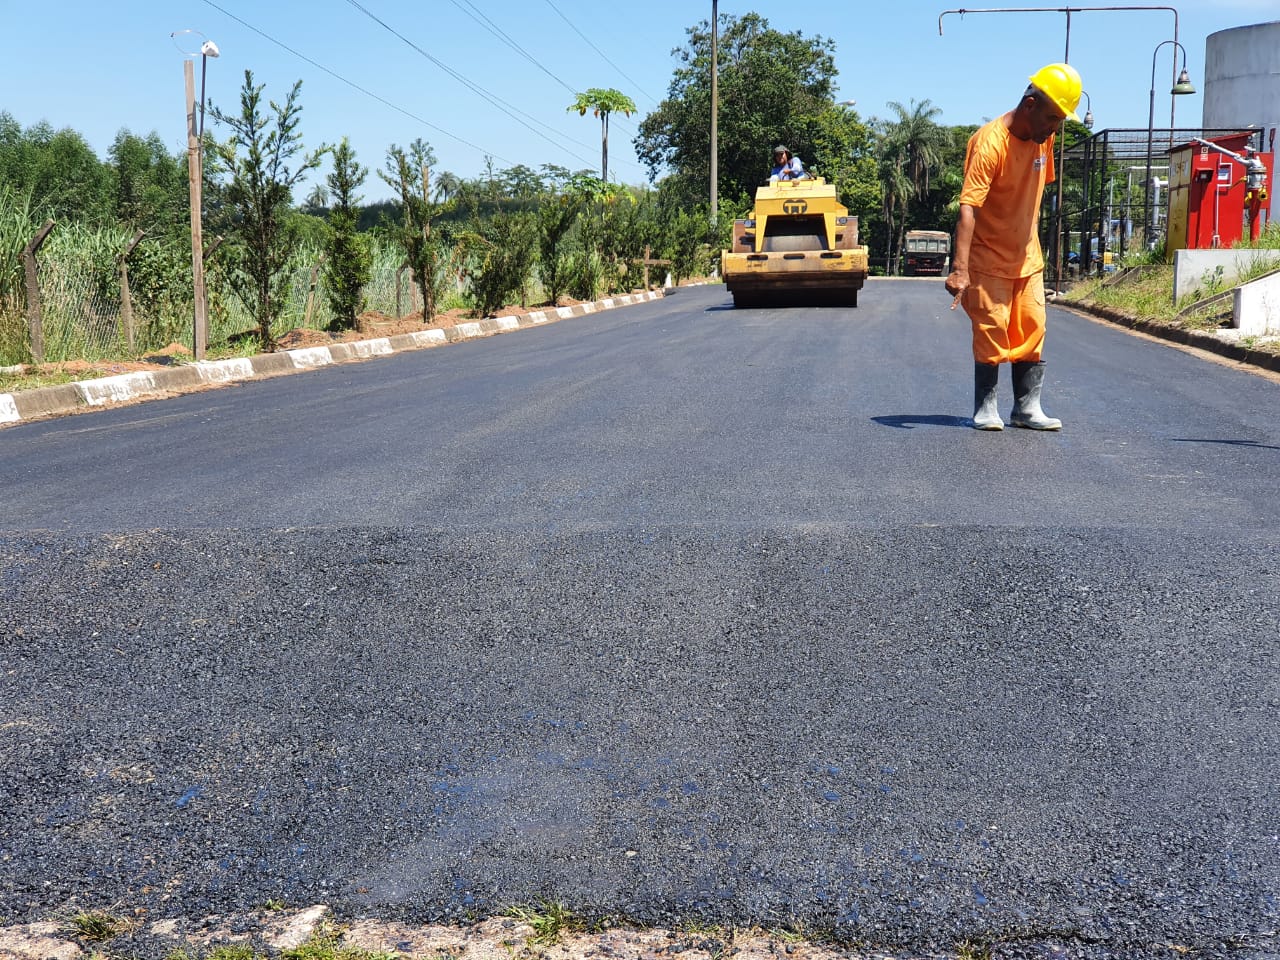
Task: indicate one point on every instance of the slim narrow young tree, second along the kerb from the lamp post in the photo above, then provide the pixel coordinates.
(348, 260)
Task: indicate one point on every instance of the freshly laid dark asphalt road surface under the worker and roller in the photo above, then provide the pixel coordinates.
(671, 614)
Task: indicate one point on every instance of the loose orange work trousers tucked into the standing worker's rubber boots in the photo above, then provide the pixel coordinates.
(1008, 318)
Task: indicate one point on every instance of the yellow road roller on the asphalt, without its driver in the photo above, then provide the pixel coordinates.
(798, 248)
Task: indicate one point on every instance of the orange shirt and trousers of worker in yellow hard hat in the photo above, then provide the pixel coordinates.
(1004, 181)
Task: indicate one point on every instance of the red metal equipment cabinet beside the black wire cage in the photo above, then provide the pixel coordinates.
(1214, 193)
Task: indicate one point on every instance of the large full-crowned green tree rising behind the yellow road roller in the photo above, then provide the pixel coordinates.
(771, 88)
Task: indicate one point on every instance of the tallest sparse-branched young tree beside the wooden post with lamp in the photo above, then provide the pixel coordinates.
(260, 195)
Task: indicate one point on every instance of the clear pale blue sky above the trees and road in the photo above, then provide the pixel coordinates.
(100, 67)
